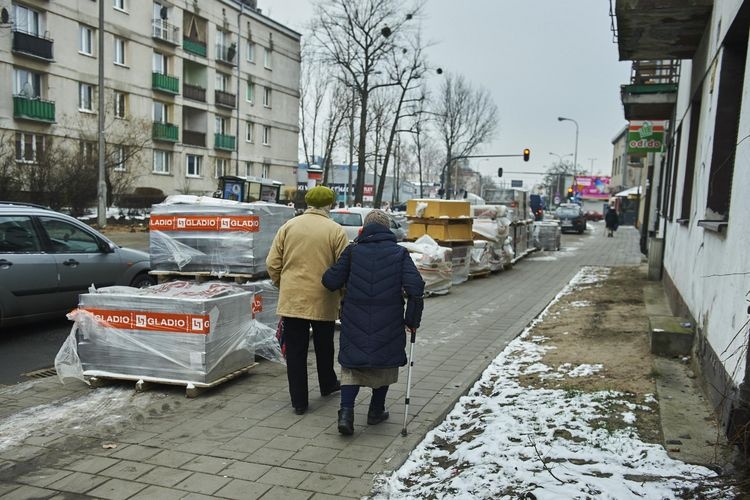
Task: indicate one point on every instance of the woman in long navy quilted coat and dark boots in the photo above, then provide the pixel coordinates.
(377, 273)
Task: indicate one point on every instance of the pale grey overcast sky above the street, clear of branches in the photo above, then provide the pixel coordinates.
(539, 59)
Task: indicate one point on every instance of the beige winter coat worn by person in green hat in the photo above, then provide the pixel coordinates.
(302, 250)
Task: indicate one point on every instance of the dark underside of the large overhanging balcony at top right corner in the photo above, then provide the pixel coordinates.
(667, 29)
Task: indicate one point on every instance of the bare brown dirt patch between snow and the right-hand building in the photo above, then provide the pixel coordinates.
(604, 323)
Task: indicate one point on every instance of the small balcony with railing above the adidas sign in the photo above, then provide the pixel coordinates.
(652, 92)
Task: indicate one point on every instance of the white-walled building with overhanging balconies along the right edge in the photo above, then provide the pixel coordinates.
(698, 189)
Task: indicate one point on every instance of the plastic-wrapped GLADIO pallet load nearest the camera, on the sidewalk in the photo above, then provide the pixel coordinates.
(180, 331)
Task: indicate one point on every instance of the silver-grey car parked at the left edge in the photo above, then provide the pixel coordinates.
(47, 259)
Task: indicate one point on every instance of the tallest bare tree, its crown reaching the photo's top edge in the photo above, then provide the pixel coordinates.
(358, 35)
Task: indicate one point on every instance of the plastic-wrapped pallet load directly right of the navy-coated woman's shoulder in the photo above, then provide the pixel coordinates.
(434, 264)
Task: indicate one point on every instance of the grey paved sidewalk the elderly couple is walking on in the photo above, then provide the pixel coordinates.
(242, 439)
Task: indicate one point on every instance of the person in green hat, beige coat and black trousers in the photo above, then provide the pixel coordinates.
(303, 248)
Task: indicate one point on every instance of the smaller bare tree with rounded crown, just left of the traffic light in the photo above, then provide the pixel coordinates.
(465, 118)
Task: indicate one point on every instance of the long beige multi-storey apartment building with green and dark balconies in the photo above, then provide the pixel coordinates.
(201, 88)
